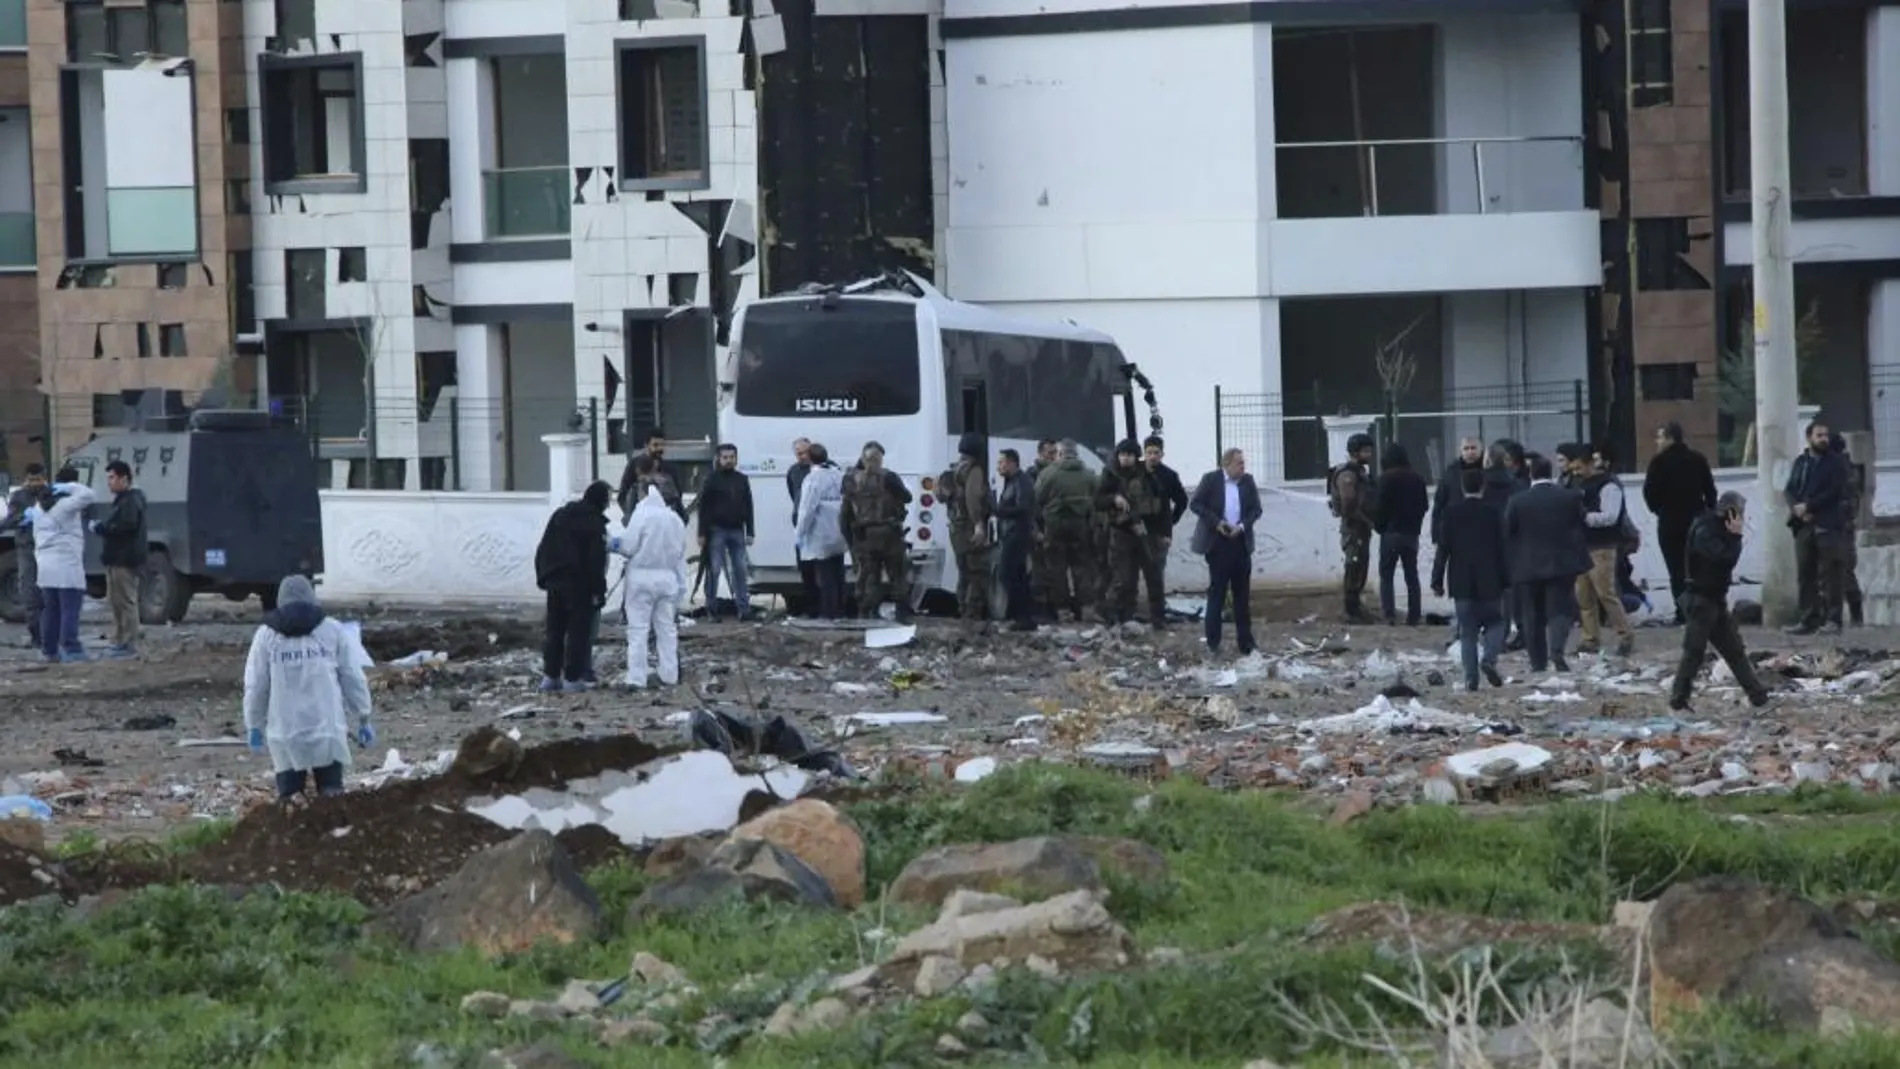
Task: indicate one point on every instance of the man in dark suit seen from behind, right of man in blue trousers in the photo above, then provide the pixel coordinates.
(1544, 533)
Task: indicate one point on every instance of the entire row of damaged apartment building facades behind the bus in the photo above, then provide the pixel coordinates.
(436, 231)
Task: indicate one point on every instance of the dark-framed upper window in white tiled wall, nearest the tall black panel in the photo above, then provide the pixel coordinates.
(662, 117)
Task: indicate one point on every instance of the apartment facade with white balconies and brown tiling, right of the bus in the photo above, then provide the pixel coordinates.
(1529, 214)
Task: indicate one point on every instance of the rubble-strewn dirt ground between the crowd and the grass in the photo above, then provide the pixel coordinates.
(119, 747)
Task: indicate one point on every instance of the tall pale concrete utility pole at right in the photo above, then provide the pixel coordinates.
(1774, 276)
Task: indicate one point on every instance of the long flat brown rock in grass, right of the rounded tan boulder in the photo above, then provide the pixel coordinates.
(1031, 869)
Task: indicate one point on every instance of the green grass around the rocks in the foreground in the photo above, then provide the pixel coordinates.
(187, 979)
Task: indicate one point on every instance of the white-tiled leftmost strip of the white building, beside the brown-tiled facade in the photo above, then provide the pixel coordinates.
(339, 105)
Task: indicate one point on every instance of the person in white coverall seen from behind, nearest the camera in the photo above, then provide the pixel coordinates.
(303, 688)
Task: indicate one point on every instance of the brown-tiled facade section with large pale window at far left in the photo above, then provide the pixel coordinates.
(140, 253)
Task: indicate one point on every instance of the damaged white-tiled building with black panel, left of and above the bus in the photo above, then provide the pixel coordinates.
(485, 221)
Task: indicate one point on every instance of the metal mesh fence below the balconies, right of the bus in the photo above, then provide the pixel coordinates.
(1285, 438)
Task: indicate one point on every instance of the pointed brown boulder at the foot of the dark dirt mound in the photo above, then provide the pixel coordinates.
(503, 901)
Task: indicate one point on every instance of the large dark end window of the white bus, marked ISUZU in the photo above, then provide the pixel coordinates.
(803, 360)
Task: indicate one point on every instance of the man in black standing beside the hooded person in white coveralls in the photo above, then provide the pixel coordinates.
(571, 567)
